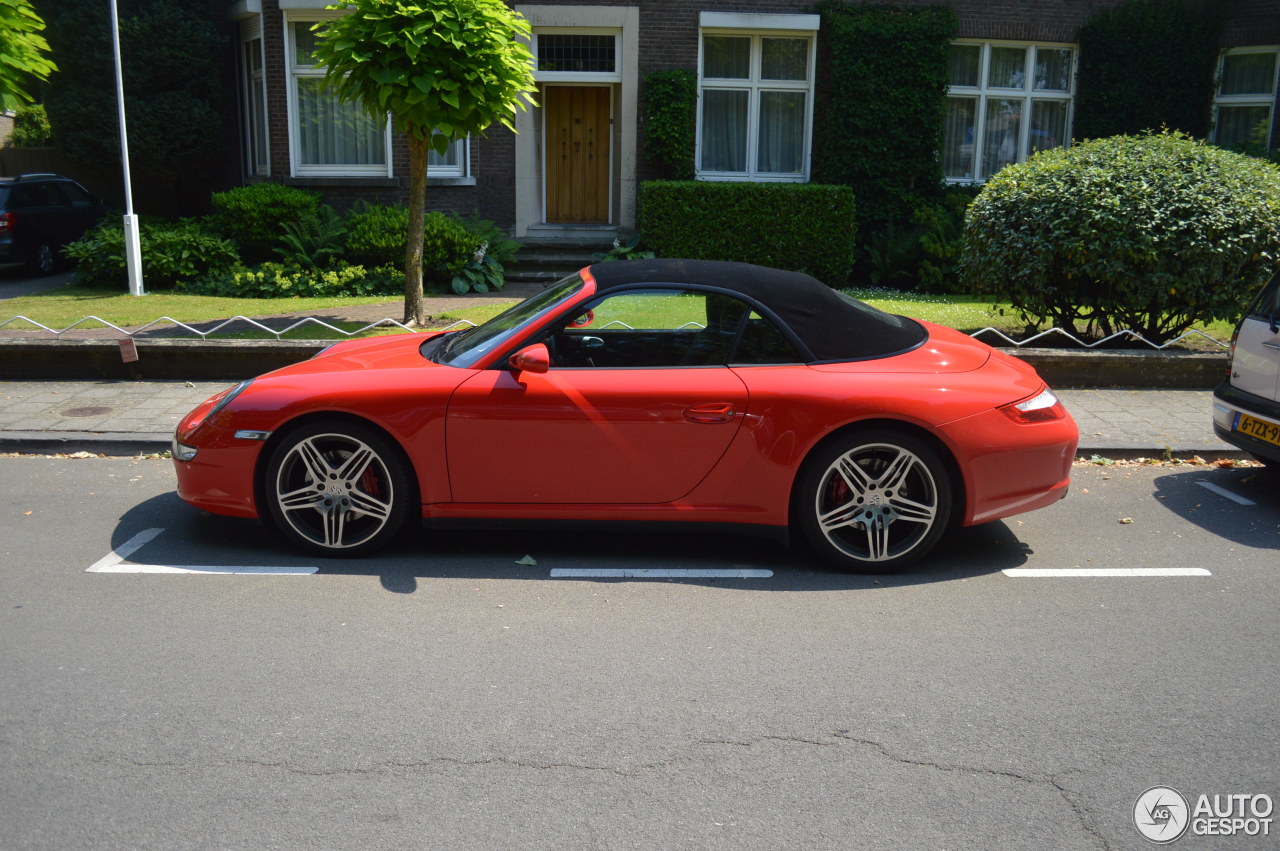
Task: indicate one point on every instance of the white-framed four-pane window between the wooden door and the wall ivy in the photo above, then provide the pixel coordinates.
(755, 104)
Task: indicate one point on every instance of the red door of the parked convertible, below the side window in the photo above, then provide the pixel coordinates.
(591, 436)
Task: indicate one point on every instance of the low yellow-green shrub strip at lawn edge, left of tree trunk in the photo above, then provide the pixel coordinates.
(281, 281)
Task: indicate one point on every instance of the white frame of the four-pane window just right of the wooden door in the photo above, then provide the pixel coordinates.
(755, 86)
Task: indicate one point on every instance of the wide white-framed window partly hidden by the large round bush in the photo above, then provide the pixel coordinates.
(1005, 103)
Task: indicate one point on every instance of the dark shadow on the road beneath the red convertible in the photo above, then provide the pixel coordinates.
(193, 538)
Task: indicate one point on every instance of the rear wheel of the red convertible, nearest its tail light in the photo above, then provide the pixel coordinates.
(874, 501)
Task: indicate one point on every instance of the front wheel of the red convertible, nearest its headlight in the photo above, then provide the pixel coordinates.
(339, 489)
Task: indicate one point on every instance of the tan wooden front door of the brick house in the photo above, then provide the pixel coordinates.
(578, 153)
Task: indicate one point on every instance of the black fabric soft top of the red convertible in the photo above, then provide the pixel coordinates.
(833, 326)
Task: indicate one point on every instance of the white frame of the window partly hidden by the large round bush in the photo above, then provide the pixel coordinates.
(1028, 94)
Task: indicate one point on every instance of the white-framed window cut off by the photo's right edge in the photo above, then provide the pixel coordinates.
(1246, 98)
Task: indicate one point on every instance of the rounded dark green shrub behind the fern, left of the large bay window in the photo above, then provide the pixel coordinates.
(253, 216)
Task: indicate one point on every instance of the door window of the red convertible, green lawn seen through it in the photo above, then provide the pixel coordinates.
(652, 328)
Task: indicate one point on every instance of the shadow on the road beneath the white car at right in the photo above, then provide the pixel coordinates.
(1241, 505)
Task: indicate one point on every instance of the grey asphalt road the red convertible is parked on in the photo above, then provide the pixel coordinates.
(444, 697)
